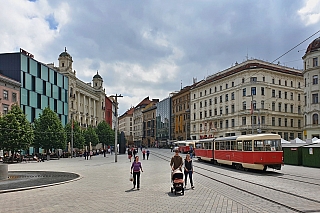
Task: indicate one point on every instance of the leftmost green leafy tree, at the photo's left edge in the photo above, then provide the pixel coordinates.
(16, 132)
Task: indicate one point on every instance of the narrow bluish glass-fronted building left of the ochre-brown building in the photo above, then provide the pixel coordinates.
(163, 120)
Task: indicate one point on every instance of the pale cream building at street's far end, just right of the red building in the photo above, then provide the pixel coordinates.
(126, 125)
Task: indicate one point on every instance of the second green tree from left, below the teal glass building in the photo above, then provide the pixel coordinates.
(49, 132)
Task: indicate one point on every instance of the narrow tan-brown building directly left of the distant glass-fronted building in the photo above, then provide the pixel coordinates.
(149, 125)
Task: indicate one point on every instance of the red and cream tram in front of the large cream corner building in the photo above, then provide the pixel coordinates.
(244, 151)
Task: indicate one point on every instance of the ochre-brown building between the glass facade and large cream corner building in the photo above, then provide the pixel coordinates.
(181, 114)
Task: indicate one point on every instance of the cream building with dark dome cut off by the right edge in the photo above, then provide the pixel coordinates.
(311, 85)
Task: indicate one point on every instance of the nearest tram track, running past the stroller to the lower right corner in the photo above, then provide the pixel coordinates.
(310, 204)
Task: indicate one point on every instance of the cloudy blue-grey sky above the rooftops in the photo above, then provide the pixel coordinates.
(148, 48)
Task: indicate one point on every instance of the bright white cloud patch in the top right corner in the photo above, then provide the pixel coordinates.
(310, 13)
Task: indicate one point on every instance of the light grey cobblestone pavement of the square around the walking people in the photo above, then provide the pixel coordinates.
(104, 186)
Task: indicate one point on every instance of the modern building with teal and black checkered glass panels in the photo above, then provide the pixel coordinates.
(41, 86)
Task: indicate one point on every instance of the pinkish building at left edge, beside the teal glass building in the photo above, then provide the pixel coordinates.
(9, 93)
